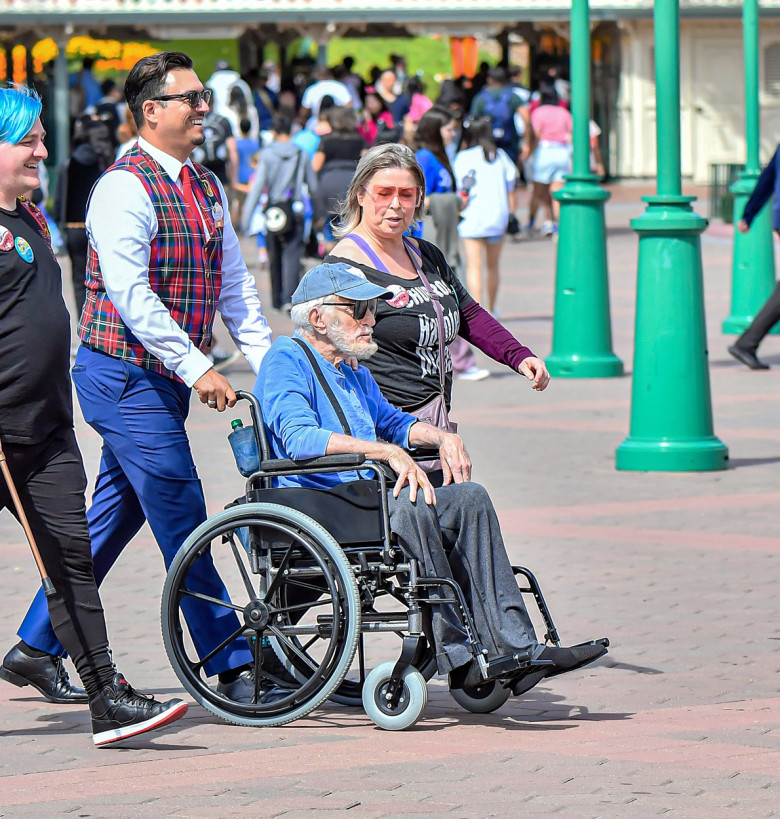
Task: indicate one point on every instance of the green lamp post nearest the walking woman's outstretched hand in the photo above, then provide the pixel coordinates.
(582, 335)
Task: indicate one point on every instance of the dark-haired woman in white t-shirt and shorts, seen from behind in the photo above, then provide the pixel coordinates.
(489, 176)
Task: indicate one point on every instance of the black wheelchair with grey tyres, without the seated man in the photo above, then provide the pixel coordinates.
(310, 573)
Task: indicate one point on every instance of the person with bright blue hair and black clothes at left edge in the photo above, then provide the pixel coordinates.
(39, 446)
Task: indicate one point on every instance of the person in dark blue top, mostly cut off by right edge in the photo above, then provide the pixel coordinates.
(745, 347)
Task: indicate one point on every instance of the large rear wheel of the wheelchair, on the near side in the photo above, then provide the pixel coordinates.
(262, 552)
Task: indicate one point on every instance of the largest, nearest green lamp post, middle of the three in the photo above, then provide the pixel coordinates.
(671, 407)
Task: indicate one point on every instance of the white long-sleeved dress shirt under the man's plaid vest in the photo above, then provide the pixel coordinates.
(121, 225)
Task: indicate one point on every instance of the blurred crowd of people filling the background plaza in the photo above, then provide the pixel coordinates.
(285, 151)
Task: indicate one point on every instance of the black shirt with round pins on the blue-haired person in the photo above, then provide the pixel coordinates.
(35, 392)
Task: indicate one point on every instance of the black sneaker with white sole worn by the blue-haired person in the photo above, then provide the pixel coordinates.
(119, 712)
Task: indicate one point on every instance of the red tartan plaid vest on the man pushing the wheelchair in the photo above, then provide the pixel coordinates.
(185, 267)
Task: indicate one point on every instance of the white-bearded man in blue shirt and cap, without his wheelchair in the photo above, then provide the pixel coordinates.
(452, 531)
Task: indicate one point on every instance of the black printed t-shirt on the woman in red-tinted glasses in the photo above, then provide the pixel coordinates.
(406, 366)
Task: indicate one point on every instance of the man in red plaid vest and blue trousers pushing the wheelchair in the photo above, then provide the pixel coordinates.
(163, 258)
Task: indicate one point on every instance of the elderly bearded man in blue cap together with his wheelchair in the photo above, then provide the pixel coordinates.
(320, 419)
